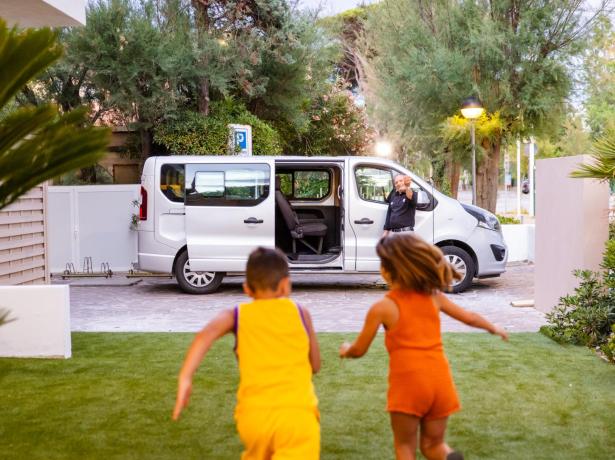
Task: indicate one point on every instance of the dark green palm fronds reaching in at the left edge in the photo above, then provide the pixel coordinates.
(37, 143)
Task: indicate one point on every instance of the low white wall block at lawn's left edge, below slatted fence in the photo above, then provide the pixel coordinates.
(42, 322)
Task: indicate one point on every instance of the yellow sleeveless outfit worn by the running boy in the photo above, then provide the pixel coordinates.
(277, 409)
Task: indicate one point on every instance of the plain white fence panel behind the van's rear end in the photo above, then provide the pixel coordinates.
(92, 221)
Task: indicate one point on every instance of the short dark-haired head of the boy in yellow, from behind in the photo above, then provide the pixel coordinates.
(265, 269)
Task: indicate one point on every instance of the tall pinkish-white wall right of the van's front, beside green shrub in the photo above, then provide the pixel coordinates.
(571, 227)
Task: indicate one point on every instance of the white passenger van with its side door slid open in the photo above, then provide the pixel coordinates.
(202, 215)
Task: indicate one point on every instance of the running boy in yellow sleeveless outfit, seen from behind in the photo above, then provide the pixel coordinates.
(276, 347)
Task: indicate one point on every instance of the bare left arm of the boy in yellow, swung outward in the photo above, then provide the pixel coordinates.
(222, 324)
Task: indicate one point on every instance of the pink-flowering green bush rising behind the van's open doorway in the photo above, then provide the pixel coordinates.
(337, 127)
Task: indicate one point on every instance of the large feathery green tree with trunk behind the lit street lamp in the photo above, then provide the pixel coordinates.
(421, 59)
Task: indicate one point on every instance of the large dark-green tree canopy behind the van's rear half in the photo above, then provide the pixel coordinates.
(149, 63)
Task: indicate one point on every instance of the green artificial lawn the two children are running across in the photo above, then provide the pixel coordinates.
(527, 399)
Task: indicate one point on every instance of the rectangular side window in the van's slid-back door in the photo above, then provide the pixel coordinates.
(226, 184)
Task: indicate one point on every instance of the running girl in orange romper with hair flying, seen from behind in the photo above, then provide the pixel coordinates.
(421, 389)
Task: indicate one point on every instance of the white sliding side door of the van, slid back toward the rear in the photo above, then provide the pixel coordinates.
(230, 210)
